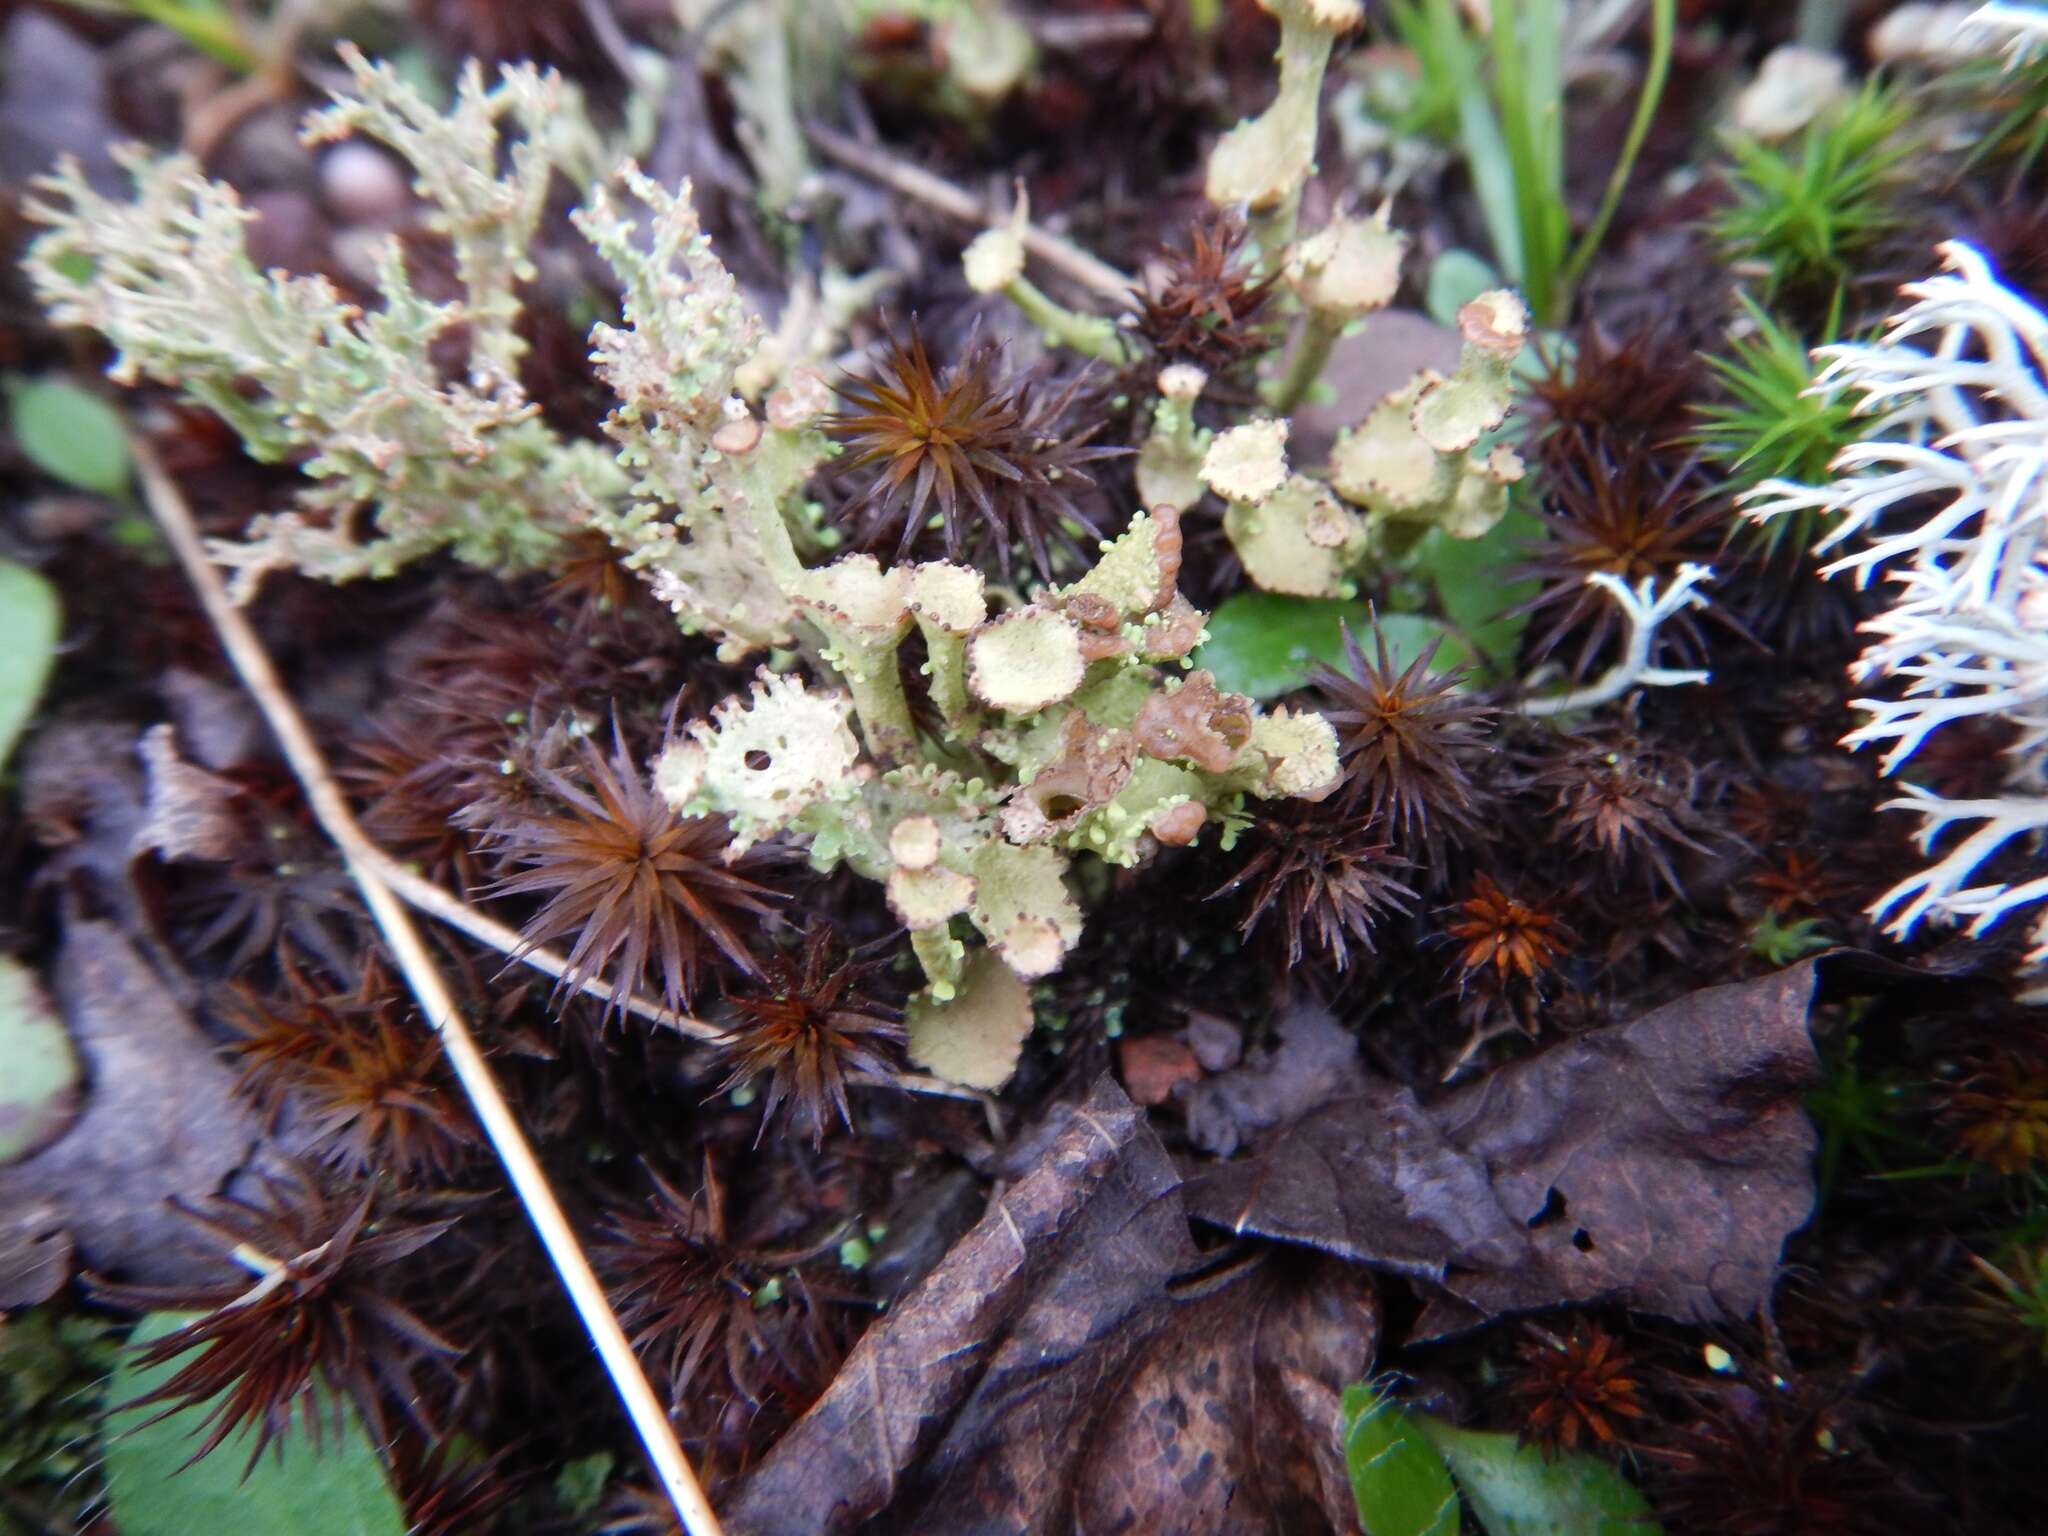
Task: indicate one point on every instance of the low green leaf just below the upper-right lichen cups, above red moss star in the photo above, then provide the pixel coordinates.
(1265, 646)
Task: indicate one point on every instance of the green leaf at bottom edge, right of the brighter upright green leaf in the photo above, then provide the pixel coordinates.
(1517, 1492)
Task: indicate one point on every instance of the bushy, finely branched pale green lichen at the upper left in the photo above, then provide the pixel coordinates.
(355, 396)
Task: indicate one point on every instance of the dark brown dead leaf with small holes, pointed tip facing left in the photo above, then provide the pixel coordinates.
(1658, 1164)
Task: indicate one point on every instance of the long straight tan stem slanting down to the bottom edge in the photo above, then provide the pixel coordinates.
(437, 1005)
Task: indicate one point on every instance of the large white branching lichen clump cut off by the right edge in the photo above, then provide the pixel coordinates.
(1949, 503)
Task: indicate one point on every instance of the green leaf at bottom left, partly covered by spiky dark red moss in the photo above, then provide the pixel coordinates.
(335, 1488)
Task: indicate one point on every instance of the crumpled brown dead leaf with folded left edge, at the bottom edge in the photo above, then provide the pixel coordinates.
(1070, 1367)
